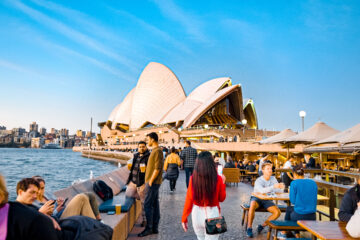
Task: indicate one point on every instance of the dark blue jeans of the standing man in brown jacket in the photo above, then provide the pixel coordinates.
(151, 206)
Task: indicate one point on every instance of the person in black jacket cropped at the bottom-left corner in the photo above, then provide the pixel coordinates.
(23, 222)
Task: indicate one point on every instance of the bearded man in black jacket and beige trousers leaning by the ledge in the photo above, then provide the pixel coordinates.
(136, 181)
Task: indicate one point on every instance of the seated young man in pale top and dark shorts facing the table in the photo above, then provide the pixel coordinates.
(264, 184)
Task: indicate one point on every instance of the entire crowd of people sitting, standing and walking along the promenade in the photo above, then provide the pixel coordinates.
(36, 214)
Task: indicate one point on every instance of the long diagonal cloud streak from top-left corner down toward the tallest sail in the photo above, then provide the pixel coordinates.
(73, 34)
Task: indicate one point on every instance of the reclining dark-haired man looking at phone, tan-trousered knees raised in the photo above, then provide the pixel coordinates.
(83, 204)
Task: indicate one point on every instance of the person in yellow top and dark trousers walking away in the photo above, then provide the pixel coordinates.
(171, 167)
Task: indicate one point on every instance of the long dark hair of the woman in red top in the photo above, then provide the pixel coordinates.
(204, 177)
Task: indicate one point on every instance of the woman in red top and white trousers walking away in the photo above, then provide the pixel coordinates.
(206, 190)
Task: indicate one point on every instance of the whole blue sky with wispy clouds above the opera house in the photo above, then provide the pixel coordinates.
(62, 62)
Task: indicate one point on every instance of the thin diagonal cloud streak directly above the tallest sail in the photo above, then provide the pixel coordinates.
(154, 30)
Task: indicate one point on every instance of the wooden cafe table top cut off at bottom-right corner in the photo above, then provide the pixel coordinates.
(326, 230)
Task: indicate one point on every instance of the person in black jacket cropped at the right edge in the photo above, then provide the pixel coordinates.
(349, 203)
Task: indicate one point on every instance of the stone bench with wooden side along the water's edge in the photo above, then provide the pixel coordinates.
(116, 180)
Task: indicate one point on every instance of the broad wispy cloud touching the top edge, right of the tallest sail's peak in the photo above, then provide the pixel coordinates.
(191, 23)
